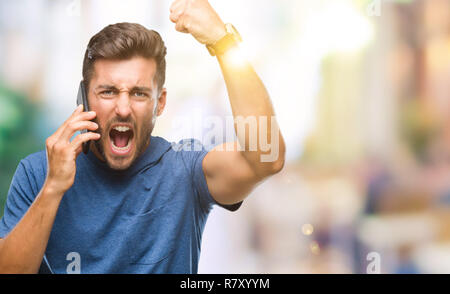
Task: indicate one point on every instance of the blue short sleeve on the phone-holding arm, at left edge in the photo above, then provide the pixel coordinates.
(19, 199)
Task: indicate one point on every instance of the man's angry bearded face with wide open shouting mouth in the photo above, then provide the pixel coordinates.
(124, 95)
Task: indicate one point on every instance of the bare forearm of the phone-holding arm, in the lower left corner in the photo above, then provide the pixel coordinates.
(22, 250)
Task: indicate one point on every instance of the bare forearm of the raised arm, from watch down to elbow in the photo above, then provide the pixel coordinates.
(251, 102)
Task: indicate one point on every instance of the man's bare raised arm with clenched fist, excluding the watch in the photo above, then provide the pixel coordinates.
(232, 170)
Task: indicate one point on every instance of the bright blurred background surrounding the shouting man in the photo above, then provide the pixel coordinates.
(361, 91)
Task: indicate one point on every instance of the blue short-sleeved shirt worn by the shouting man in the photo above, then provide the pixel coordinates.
(146, 219)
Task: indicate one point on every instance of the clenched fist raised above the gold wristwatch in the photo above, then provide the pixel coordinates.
(198, 18)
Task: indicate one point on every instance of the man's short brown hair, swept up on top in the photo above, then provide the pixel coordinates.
(123, 41)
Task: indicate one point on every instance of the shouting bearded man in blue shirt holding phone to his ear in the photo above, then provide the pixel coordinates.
(134, 203)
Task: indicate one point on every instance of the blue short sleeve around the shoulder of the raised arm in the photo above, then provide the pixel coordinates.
(193, 153)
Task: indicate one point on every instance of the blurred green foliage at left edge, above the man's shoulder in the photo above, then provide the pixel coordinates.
(18, 118)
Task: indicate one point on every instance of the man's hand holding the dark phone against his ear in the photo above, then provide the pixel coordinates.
(62, 153)
